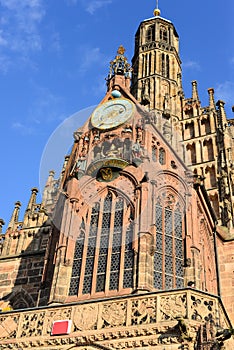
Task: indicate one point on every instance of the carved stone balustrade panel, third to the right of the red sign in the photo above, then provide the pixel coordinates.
(144, 311)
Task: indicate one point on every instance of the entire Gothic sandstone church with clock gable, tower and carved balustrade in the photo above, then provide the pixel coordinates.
(132, 246)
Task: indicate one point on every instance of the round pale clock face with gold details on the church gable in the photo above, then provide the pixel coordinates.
(112, 113)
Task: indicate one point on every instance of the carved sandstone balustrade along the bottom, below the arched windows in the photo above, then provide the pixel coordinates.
(160, 320)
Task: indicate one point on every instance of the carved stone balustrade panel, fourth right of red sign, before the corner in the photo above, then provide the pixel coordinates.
(172, 307)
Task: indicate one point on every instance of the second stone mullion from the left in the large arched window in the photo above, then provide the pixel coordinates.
(97, 250)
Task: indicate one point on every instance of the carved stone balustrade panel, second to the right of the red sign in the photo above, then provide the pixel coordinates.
(114, 314)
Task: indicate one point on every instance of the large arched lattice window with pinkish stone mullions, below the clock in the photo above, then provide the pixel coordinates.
(103, 258)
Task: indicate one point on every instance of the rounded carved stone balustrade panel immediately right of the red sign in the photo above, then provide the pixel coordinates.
(85, 317)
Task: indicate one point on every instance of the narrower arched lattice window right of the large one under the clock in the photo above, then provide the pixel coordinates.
(168, 257)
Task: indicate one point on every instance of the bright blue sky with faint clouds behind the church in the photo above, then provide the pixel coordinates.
(54, 57)
